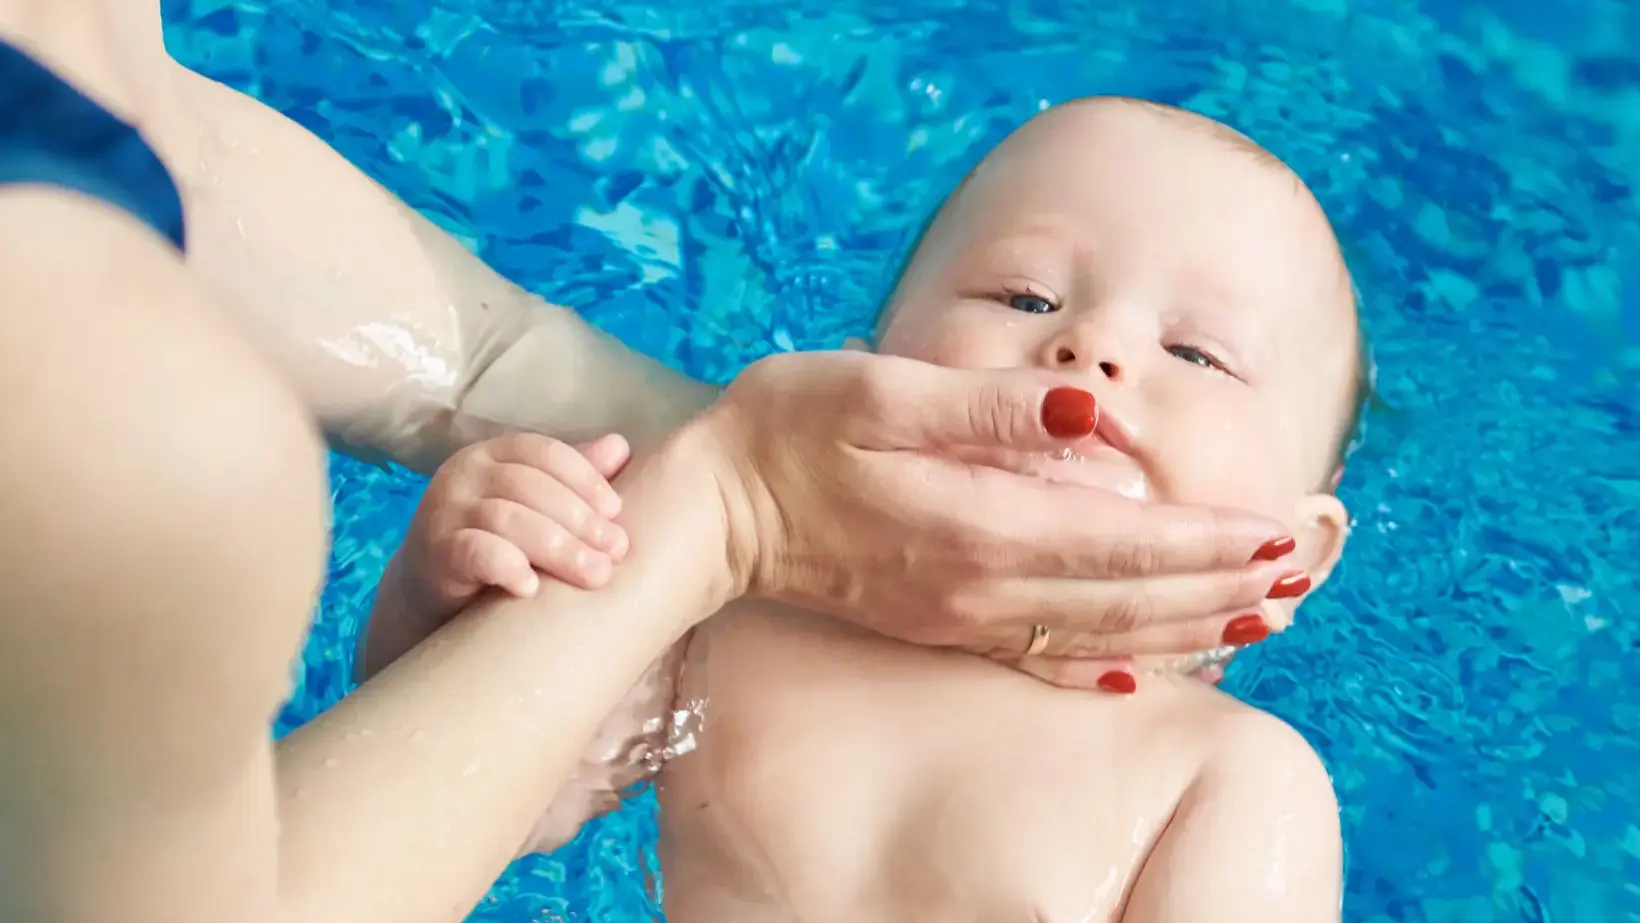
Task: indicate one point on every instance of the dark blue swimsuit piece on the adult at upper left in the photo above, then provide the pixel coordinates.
(52, 135)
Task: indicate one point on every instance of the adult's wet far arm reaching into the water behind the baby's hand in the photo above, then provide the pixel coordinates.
(403, 342)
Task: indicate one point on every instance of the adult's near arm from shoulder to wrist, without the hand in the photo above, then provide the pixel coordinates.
(165, 543)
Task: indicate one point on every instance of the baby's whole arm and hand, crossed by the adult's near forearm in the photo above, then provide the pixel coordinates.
(494, 516)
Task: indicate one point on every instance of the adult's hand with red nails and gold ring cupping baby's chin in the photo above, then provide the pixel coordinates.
(842, 498)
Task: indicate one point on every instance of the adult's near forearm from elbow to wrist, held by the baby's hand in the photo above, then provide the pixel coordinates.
(406, 801)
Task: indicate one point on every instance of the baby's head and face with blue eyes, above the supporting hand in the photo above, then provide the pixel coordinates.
(1182, 275)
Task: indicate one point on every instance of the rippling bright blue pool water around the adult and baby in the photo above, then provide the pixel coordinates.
(719, 184)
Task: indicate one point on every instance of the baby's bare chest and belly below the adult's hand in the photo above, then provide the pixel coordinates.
(844, 778)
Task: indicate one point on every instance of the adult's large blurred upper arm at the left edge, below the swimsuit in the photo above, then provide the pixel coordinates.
(163, 545)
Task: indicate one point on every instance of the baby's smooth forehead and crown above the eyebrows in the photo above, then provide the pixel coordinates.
(1124, 173)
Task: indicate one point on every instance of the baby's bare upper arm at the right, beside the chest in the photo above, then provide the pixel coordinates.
(1255, 839)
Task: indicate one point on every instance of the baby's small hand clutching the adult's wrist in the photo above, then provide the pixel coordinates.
(504, 509)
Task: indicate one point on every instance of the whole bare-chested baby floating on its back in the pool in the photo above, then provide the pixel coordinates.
(1193, 284)
